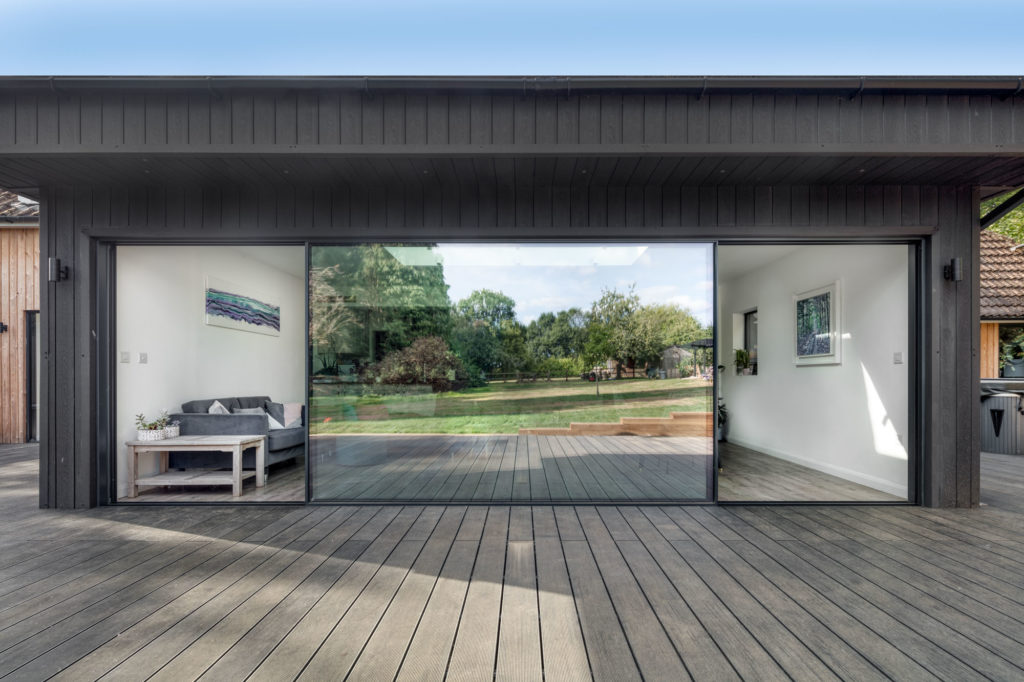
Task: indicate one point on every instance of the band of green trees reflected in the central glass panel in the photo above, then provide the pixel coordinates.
(369, 305)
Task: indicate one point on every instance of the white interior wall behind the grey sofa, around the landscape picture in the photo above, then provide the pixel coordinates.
(161, 313)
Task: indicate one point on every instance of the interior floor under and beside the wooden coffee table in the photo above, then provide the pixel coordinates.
(286, 482)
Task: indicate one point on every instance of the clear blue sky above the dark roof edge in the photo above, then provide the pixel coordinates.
(526, 37)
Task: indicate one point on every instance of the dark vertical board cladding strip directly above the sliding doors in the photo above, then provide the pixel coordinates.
(467, 211)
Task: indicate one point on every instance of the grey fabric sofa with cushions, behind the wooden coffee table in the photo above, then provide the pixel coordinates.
(195, 419)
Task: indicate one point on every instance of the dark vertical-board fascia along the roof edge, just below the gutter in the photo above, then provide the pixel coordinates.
(195, 119)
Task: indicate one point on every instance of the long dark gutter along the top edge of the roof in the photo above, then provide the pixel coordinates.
(845, 86)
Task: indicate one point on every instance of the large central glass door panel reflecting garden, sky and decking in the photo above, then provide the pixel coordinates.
(523, 372)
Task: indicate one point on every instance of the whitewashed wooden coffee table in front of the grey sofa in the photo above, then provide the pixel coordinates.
(233, 445)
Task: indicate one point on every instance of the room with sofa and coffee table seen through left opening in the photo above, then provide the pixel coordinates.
(211, 346)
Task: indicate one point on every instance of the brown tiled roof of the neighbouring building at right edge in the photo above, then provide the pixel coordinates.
(1002, 278)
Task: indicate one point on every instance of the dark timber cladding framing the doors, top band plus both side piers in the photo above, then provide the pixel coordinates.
(951, 430)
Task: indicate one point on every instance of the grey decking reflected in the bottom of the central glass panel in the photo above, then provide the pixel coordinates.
(510, 468)
